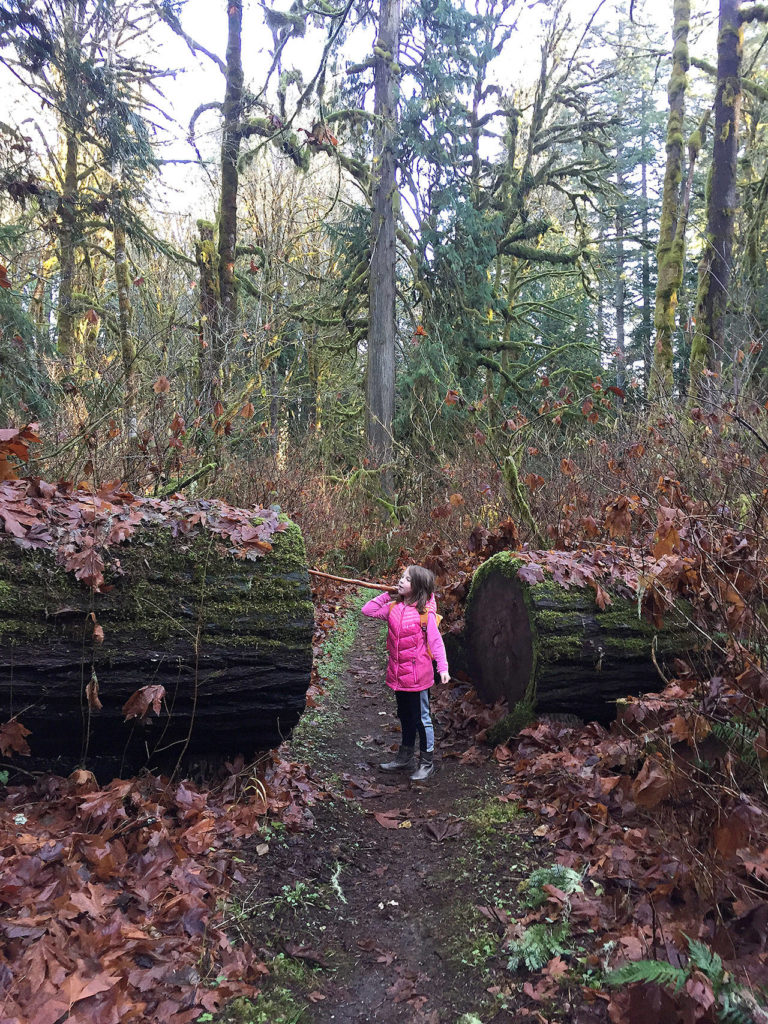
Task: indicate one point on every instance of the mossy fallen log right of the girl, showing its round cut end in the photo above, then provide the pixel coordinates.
(557, 649)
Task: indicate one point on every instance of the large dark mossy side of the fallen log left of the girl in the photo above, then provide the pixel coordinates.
(229, 639)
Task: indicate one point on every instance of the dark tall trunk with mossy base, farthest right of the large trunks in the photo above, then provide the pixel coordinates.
(722, 203)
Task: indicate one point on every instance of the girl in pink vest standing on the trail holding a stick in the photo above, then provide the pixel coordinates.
(410, 672)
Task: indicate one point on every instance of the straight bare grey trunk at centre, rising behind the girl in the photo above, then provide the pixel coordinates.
(380, 379)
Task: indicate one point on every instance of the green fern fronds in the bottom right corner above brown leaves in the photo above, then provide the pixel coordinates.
(732, 999)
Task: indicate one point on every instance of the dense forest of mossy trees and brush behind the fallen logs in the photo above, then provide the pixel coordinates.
(440, 266)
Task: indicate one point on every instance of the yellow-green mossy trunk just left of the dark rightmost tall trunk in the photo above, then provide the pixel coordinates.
(671, 231)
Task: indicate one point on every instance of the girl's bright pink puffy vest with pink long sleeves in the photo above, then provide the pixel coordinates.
(410, 667)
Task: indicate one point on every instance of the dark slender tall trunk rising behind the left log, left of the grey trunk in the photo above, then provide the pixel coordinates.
(231, 141)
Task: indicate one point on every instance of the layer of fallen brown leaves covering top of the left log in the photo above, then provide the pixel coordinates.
(80, 527)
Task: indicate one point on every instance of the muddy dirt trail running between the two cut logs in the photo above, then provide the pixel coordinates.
(376, 919)
